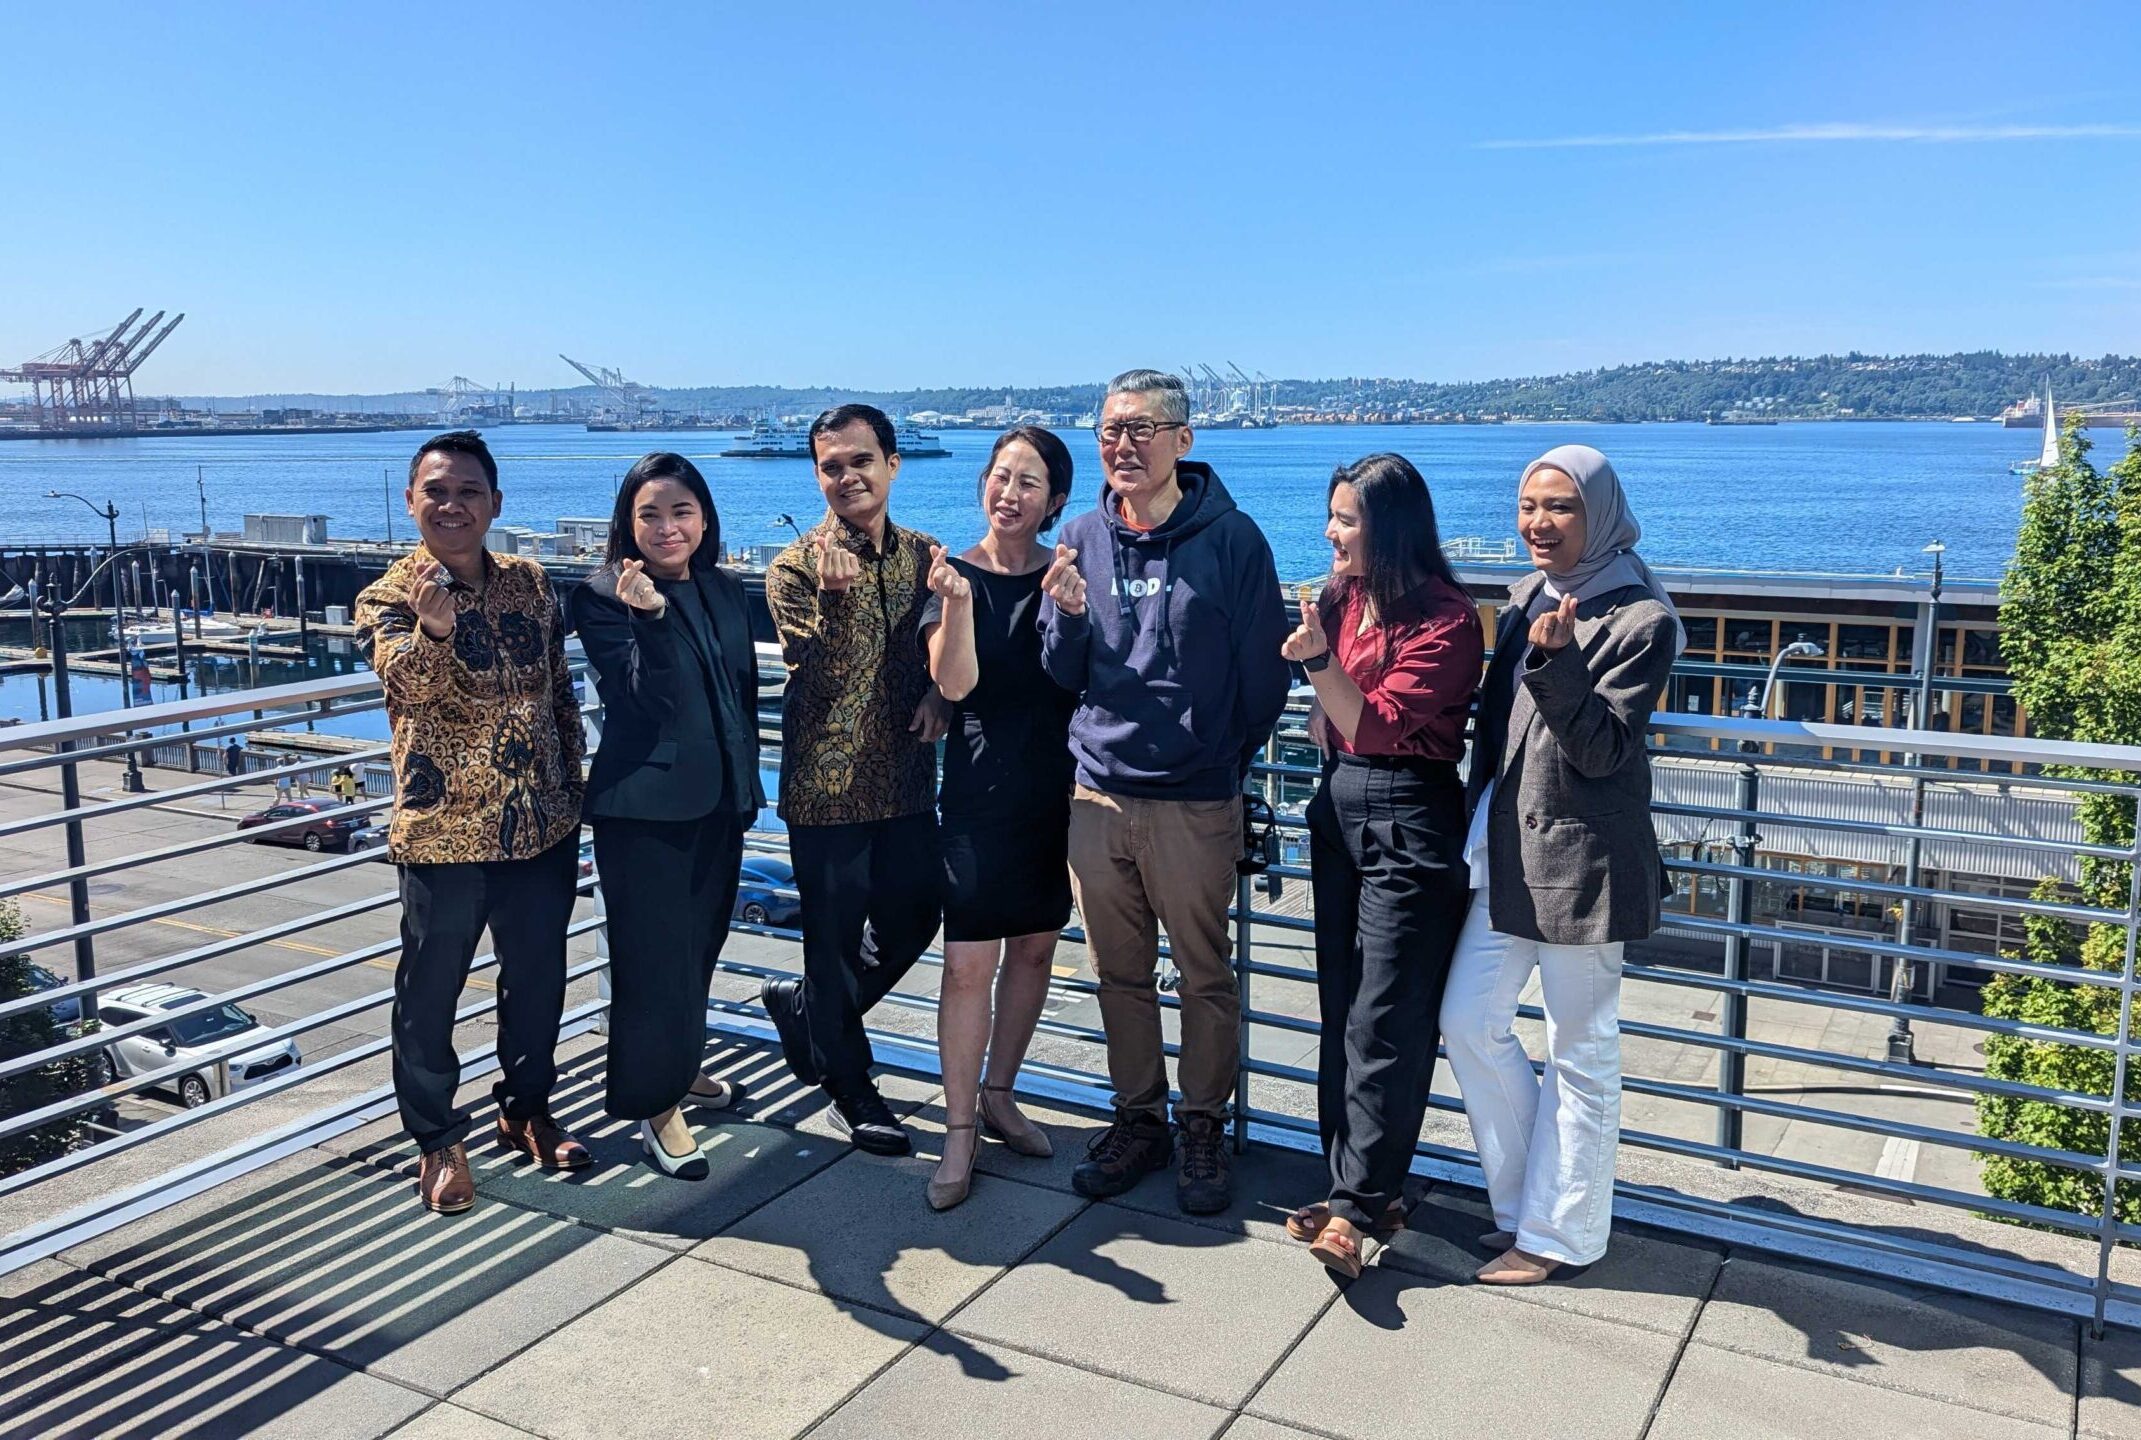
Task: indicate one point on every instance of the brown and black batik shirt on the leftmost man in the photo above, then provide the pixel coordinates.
(487, 731)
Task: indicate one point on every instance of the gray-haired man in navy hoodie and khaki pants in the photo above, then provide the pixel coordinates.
(1164, 615)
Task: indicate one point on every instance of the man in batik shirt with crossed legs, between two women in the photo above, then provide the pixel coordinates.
(860, 729)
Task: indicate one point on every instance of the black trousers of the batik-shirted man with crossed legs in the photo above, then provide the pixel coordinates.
(872, 900)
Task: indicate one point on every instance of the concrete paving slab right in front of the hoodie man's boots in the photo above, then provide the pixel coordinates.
(1166, 1304)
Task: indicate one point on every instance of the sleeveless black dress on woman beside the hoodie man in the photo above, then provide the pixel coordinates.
(1005, 797)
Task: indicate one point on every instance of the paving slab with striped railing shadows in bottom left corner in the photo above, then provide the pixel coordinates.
(85, 1358)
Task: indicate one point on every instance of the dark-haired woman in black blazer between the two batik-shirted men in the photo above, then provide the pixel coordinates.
(673, 788)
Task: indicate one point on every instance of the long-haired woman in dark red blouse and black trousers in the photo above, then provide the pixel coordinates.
(1386, 836)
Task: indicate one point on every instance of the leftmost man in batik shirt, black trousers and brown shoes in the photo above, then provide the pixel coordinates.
(487, 823)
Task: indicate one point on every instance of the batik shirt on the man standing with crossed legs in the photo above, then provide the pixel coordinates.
(855, 675)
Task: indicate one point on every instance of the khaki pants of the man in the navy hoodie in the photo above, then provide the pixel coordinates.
(1147, 863)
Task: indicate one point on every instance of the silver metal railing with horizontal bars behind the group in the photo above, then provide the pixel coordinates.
(1273, 1099)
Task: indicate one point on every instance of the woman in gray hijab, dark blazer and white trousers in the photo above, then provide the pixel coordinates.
(1564, 863)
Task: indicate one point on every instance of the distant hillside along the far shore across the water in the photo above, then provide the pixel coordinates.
(1789, 388)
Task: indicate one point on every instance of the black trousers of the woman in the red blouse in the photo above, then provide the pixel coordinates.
(1388, 848)
